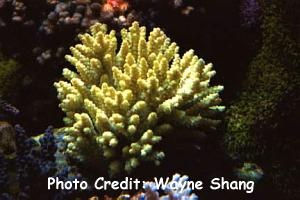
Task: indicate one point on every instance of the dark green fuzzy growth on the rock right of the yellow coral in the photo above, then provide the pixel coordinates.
(271, 78)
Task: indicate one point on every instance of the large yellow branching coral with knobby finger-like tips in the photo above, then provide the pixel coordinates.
(124, 101)
